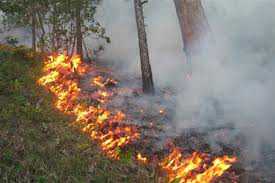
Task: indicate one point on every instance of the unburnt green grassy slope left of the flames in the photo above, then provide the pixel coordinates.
(36, 142)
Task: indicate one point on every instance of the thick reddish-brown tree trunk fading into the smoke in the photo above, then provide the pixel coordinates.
(193, 24)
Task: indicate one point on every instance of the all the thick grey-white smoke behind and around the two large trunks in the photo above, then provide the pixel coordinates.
(233, 76)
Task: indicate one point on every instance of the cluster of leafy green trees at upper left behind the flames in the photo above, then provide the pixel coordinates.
(55, 24)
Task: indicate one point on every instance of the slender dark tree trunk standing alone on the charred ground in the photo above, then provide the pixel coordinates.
(147, 77)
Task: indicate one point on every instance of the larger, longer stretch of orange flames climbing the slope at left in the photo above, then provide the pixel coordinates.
(102, 125)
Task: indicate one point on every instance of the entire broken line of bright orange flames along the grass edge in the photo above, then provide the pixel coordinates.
(107, 126)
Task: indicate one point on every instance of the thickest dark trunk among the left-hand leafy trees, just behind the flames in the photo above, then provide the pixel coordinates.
(79, 37)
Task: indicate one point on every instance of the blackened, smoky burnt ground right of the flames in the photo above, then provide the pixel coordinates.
(154, 115)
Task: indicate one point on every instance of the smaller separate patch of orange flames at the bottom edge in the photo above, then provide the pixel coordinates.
(193, 168)
